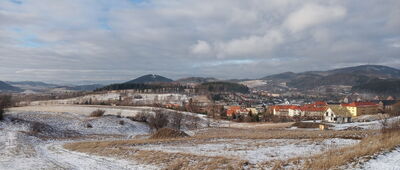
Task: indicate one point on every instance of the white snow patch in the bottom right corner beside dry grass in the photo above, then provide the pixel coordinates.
(387, 161)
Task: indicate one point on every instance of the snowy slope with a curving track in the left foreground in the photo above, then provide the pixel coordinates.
(19, 149)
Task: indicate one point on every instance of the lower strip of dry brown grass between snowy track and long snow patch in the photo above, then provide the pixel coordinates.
(163, 159)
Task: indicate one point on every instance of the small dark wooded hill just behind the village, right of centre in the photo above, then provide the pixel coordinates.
(222, 87)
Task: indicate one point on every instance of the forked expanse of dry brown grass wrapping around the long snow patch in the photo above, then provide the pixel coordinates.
(130, 149)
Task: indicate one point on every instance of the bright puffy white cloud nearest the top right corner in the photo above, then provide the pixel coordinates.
(313, 14)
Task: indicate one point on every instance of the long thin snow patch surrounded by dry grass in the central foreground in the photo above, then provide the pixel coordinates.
(253, 150)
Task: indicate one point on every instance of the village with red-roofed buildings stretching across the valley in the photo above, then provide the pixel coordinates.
(242, 107)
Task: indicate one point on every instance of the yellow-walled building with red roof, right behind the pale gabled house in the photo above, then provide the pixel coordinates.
(361, 108)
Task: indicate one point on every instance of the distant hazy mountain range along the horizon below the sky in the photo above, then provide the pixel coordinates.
(362, 78)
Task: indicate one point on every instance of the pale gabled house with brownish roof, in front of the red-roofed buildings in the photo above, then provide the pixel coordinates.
(337, 114)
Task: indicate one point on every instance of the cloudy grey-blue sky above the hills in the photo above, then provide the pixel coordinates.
(117, 40)
